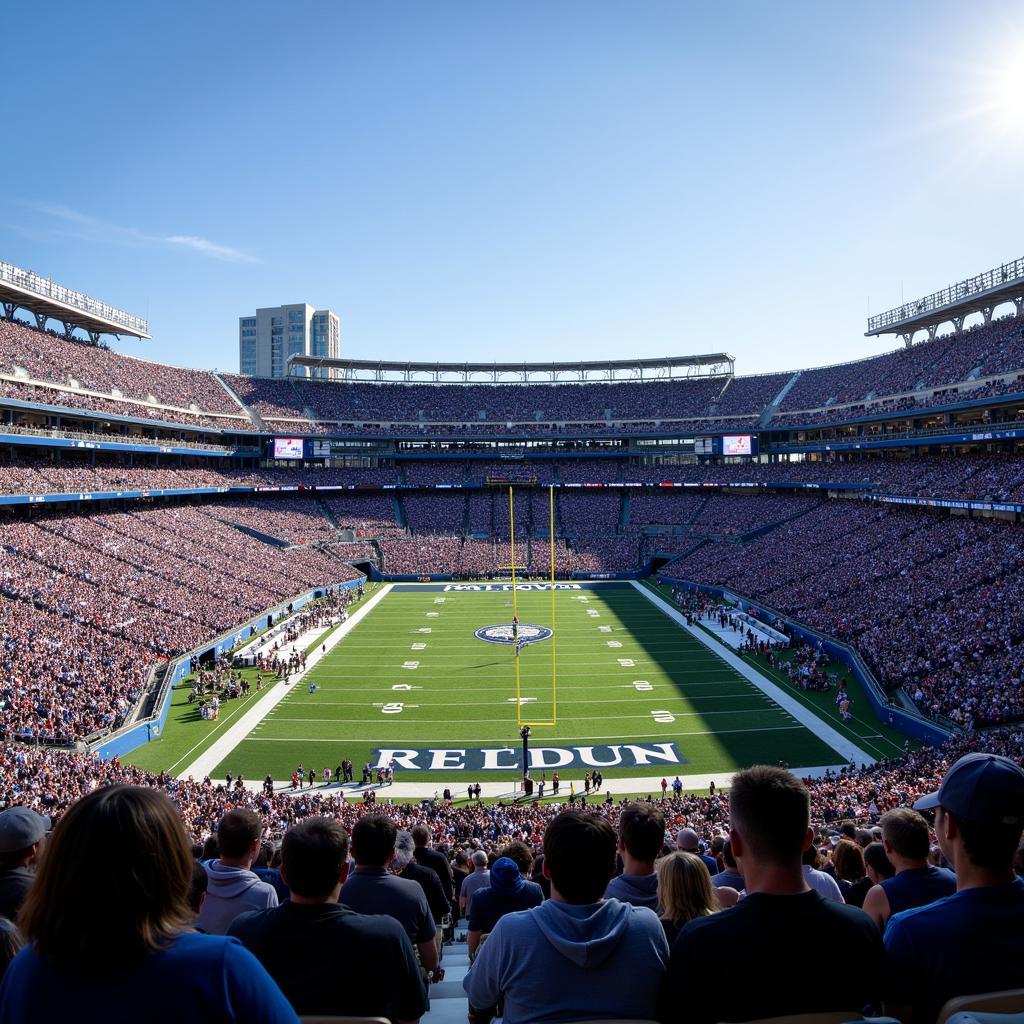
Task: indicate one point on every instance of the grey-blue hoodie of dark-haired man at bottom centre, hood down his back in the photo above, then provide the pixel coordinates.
(563, 962)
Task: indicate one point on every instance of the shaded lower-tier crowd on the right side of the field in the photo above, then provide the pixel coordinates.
(927, 600)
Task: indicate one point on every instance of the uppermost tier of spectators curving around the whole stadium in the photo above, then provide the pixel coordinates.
(943, 370)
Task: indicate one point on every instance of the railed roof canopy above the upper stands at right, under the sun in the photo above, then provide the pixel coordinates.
(951, 306)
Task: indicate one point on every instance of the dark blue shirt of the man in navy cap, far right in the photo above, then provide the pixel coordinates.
(970, 943)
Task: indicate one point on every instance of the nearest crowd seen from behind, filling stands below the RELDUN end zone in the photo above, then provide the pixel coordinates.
(664, 894)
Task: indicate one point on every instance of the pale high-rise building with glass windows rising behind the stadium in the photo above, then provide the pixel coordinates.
(267, 340)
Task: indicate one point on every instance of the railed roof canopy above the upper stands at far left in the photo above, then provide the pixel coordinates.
(46, 301)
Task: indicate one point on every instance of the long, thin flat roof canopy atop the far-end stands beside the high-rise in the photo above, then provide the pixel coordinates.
(673, 367)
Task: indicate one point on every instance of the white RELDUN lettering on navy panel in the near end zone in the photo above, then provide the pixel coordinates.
(541, 758)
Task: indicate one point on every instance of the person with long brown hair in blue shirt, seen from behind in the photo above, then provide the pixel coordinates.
(109, 924)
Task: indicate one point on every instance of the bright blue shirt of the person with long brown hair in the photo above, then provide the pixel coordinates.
(198, 978)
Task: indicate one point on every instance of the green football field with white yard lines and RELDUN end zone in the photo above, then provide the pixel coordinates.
(429, 678)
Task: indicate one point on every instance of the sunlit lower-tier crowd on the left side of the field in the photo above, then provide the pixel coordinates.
(91, 604)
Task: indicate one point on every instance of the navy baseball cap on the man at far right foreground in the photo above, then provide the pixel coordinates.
(983, 788)
